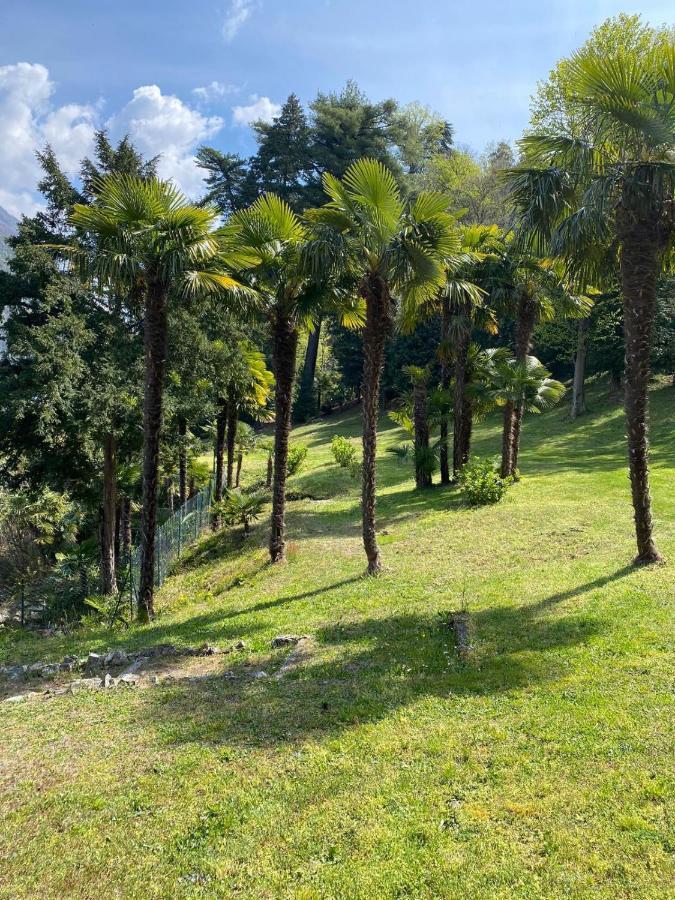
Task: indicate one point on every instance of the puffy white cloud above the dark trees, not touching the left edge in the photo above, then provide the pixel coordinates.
(161, 124)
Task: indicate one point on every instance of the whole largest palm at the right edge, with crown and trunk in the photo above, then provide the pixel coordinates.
(615, 184)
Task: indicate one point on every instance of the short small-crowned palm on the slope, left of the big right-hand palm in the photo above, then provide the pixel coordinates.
(524, 384)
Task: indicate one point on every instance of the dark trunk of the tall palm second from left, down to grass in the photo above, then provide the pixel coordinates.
(285, 350)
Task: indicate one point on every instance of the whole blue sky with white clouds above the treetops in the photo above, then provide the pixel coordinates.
(176, 74)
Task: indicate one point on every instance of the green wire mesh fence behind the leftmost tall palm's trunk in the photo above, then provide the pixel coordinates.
(173, 536)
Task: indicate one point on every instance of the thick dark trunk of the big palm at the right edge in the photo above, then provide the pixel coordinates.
(641, 242)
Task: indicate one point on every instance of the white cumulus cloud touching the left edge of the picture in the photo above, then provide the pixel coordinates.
(28, 122)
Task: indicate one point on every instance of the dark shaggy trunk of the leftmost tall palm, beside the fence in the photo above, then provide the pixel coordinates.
(154, 336)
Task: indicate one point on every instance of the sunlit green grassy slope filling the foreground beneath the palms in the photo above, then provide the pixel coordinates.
(384, 767)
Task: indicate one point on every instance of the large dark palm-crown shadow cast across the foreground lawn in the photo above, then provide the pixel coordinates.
(374, 667)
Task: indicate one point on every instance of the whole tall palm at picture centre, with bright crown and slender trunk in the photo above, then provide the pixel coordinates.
(394, 249)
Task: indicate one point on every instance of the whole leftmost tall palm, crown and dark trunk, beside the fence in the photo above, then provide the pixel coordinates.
(149, 239)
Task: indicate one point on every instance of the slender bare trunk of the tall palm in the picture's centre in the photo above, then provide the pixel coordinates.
(377, 321)
